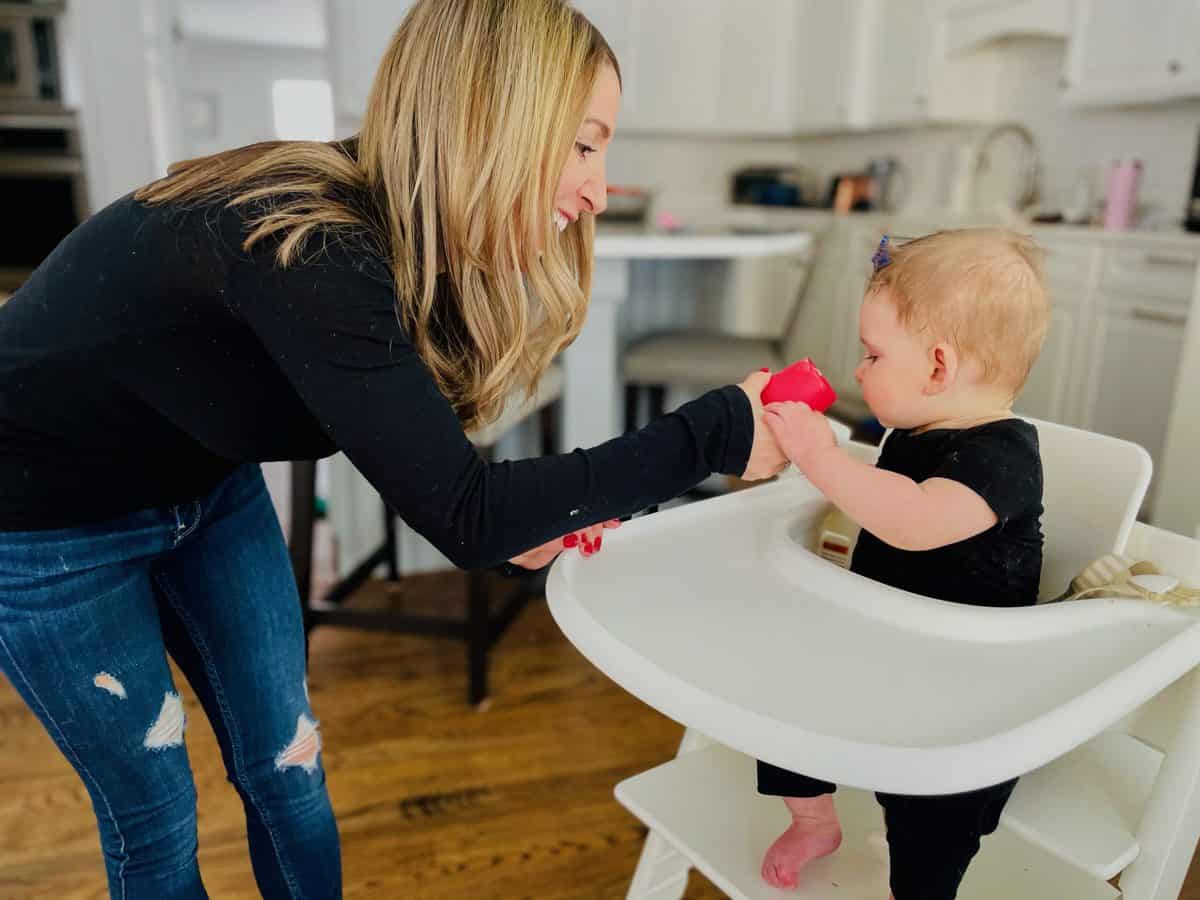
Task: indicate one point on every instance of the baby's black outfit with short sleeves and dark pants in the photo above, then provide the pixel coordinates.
(933, 839)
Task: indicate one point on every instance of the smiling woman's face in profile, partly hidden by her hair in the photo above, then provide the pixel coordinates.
(583, 188)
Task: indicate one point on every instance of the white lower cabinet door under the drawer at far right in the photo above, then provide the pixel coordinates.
(1136, 357)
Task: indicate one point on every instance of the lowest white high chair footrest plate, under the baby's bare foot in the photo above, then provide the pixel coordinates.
(705, 803)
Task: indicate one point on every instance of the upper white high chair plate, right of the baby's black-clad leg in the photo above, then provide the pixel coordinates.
(1085, 807)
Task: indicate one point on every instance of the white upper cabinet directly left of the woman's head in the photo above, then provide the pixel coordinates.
(359, 33)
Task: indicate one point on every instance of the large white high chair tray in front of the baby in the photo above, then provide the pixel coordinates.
(719, 616)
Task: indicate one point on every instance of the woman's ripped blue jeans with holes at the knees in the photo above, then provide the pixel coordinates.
(87, 620)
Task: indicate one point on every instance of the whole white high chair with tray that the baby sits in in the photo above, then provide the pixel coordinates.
(788, 658)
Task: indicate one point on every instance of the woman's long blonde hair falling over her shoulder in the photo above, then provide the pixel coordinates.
(469, 125)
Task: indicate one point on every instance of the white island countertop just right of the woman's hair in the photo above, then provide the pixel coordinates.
(639, 243)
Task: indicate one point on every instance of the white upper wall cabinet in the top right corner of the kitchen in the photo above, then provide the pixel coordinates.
(1133, 52)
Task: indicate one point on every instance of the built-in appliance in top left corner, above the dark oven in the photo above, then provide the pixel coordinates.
(28, 63)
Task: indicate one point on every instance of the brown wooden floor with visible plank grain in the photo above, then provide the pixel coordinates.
(435, 801)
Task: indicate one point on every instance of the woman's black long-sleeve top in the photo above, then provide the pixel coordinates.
(149, 356)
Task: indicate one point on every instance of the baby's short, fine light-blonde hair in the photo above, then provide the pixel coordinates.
(983, 290)
